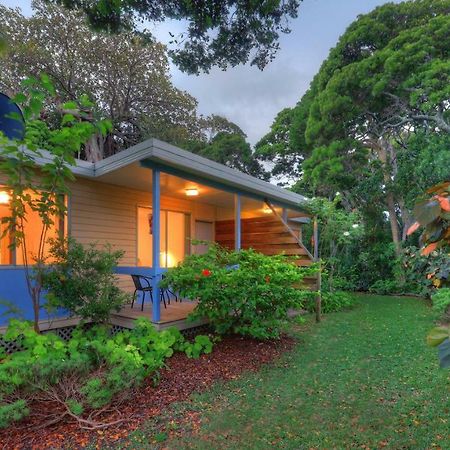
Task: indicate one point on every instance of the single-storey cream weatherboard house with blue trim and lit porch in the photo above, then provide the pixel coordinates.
(151, 201)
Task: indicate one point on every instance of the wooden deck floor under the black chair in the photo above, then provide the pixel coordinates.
(174, 315)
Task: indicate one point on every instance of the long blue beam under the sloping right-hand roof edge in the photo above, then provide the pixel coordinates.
(149, 164)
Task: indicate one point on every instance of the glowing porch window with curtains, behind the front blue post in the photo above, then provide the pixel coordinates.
(174, 235)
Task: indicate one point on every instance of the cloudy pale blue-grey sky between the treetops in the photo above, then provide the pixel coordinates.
(250, 97)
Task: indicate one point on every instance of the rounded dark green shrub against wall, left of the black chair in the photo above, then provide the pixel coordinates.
(81, 280)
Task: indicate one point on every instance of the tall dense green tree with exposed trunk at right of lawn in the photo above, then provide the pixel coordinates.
(386, 79)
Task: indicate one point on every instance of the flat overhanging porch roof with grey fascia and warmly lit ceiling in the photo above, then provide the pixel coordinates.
(179, 169)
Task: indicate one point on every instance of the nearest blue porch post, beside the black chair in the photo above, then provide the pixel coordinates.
(156, 233)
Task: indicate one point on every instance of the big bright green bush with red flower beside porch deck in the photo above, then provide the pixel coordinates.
(242, 292)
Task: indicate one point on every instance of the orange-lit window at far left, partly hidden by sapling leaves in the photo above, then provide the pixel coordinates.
(32, 231)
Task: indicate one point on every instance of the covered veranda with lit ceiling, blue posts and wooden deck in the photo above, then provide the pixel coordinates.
(227, 206)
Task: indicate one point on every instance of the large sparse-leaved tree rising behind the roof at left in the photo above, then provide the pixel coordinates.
(125, 75)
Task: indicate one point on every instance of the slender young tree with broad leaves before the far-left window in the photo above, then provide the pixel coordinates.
(46, 193)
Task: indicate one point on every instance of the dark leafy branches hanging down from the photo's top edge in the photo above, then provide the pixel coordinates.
(219, 33)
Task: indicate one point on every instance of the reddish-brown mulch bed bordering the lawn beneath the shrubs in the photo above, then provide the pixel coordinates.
(182, 376)
